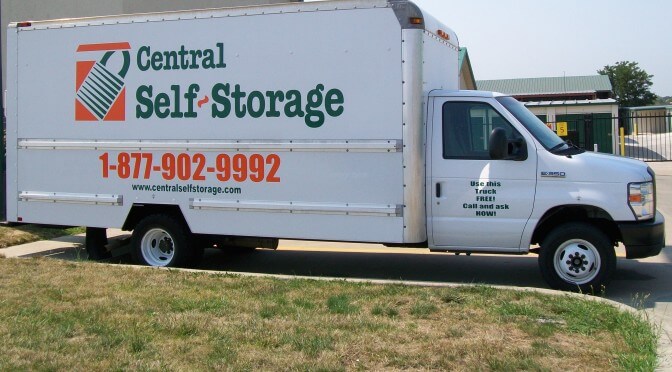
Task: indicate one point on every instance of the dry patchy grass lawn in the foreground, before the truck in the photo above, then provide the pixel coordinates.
(61, 315)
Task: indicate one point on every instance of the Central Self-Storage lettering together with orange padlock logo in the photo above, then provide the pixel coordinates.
(156, 94)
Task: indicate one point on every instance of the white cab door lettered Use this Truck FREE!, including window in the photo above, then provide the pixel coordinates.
(477, 203)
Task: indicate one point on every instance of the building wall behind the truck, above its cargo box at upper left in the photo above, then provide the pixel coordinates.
(35, 10)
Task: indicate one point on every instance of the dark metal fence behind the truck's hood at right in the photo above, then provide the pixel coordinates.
(642, 136)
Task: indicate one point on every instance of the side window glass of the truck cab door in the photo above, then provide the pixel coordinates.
(467, 127)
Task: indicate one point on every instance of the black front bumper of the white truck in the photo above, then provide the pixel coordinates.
(643, 239)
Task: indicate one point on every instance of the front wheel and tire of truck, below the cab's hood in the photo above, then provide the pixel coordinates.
(577, 257)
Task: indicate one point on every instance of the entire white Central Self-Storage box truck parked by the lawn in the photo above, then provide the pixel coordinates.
(334, 121)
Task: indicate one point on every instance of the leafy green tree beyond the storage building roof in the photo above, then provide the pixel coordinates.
(631, 84)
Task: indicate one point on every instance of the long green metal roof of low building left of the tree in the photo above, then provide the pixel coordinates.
(548, 85)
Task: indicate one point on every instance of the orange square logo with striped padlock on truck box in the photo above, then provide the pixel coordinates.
(100, 87)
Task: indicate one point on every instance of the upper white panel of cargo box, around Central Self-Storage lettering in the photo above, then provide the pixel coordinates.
(265, 52)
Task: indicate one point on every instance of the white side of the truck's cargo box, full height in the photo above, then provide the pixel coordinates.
(340, 180)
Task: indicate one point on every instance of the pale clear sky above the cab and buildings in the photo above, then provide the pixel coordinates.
(509, 39)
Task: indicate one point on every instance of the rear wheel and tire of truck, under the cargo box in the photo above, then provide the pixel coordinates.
(161, 240)
